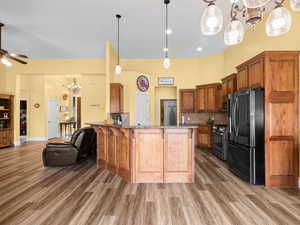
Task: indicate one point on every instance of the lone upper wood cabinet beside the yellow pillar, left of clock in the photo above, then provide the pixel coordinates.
(116, 98)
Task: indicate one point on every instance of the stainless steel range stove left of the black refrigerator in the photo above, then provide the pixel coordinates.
(220, 142)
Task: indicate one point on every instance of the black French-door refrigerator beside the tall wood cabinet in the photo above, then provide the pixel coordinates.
(246, 155)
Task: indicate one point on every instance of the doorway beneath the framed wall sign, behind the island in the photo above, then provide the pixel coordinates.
(168, 112)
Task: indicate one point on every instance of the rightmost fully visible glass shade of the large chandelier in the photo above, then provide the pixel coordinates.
(279, 21)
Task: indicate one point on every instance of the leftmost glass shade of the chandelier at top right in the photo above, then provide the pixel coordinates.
(212, 19)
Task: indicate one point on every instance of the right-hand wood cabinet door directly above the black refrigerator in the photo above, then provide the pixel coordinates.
(256, 74)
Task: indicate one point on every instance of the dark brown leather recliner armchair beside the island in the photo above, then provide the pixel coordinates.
(81, 146)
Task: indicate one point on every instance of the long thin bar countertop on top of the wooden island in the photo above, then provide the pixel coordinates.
(143, 127)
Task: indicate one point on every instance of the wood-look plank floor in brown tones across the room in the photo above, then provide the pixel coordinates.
(82, 194)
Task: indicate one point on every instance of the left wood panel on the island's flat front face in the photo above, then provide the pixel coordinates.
(149, 155)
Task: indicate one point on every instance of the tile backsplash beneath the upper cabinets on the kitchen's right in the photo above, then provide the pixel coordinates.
(201, 118)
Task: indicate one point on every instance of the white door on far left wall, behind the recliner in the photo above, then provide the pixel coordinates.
(53, 117)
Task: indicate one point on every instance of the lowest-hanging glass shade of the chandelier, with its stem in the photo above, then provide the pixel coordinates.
(234, 32)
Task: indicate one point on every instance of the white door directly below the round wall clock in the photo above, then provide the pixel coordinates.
(143, 109)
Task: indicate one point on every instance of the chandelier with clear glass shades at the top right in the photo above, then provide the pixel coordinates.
(278, 22)
